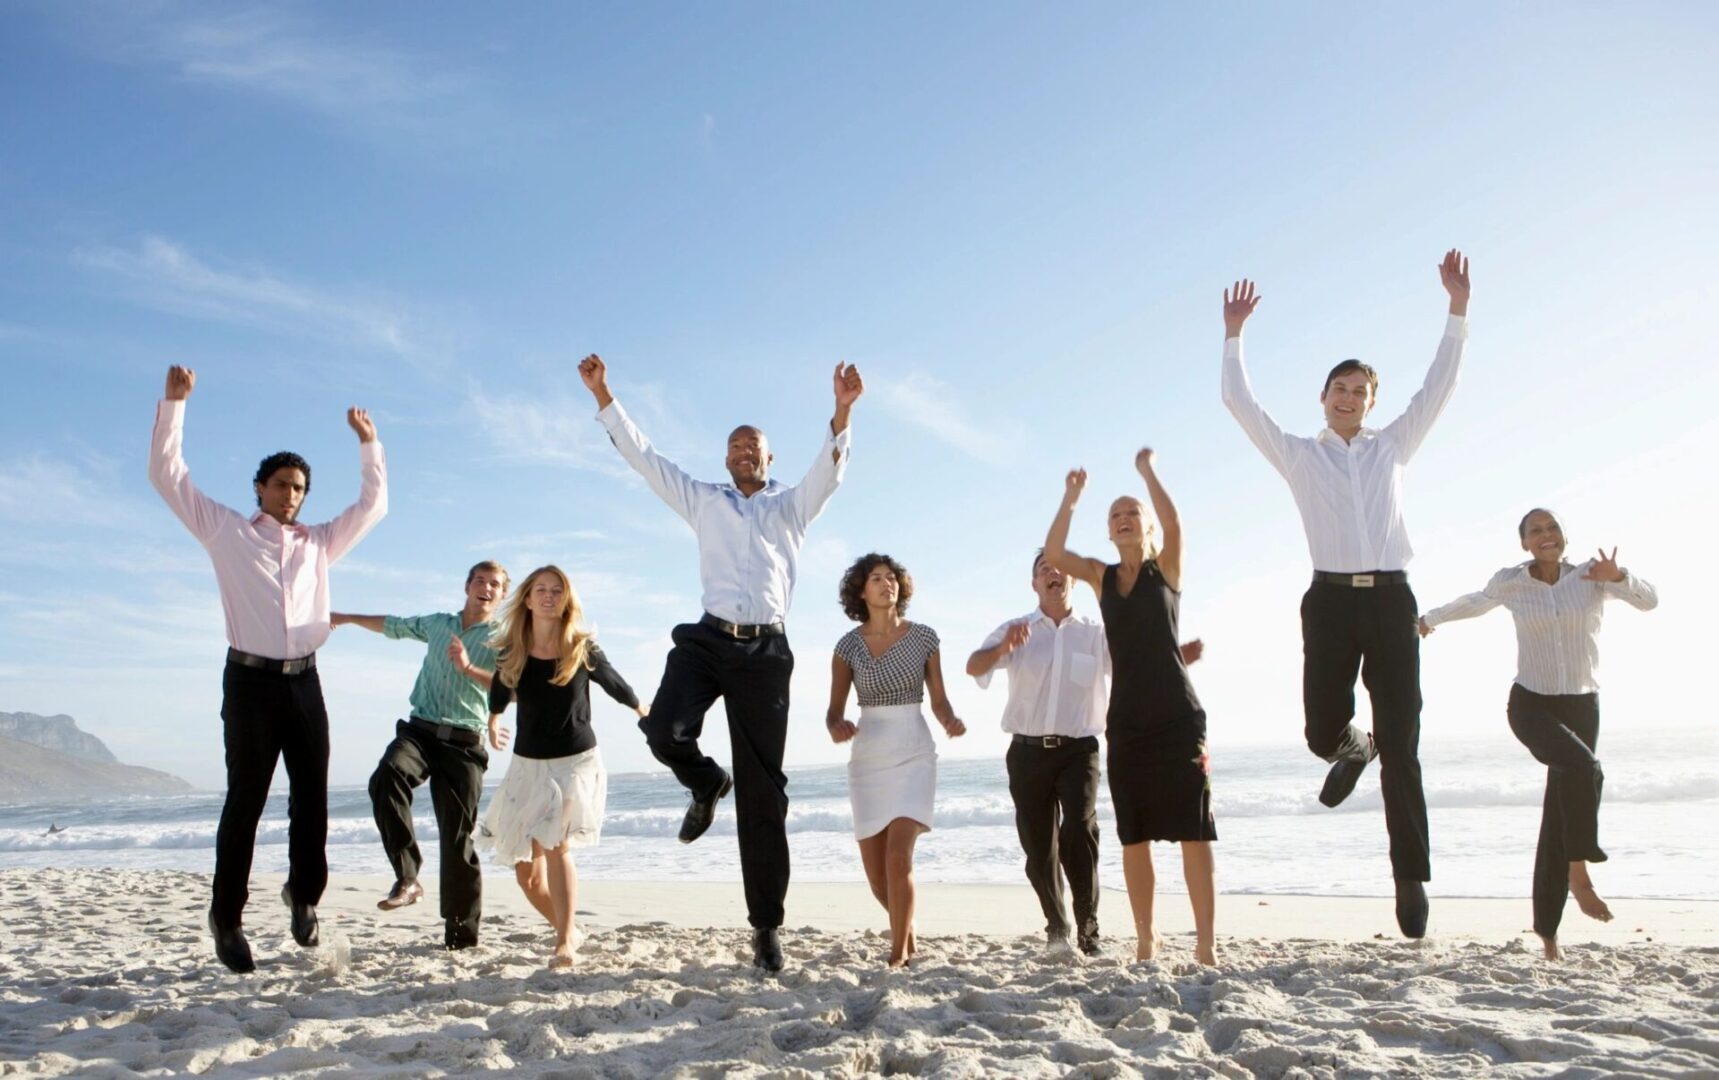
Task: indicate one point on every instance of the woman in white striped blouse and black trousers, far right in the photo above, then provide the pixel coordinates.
(1555, 703)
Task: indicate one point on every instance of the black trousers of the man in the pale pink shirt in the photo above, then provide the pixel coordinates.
(266, 718)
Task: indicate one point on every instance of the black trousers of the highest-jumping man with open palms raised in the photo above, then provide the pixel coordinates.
(1374, 632)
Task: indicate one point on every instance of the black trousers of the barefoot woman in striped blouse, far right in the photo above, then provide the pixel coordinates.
(1562, 732)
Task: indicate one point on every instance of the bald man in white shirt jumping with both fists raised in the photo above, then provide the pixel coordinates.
(750, 534)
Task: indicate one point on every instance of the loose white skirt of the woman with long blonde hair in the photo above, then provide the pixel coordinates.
(548, 801)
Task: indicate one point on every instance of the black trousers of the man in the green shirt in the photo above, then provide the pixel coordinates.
(456, 785)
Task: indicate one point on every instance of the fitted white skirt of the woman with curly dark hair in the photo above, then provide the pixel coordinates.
(893, 771)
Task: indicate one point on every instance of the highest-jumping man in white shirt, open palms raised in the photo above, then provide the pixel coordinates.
(1361, 615)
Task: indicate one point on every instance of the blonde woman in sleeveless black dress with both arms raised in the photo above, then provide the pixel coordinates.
(1156, 727)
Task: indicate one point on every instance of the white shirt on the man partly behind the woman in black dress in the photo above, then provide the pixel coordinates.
(1056, 678)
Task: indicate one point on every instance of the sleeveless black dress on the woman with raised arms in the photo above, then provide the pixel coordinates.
(1156, 728)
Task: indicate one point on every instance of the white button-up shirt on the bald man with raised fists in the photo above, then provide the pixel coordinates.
(749, 549)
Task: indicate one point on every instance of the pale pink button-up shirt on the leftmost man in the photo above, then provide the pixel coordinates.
(274, 579)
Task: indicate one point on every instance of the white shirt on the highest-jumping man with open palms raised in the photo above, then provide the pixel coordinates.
(1350, 494)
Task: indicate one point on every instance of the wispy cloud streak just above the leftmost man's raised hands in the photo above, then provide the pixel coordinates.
(162, 274)
